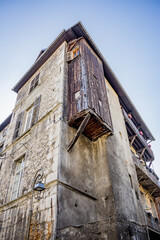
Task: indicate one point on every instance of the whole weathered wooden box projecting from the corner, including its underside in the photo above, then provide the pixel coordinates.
(87, 92)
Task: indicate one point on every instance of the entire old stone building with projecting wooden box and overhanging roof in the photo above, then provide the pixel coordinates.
(75, 131)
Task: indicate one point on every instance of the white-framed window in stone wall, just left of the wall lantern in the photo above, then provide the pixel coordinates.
(17, 178)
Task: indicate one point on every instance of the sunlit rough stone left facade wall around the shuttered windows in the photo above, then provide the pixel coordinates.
(40, 146)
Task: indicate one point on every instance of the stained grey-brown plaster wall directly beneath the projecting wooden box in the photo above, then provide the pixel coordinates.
(85, 199)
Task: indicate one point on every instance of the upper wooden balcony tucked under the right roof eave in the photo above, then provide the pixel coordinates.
(137, 140)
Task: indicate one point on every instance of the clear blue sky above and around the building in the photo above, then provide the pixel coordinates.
(126, 32)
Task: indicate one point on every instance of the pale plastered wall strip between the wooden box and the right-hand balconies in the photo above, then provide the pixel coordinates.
(129, 210)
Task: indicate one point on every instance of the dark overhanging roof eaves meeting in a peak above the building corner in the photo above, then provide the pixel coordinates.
(77, 31)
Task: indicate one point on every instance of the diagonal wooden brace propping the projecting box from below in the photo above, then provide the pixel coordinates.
(79, 131)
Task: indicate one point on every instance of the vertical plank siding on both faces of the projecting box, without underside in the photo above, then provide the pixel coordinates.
(86, 85)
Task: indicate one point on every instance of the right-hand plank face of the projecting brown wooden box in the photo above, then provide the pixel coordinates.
(97, 94)
